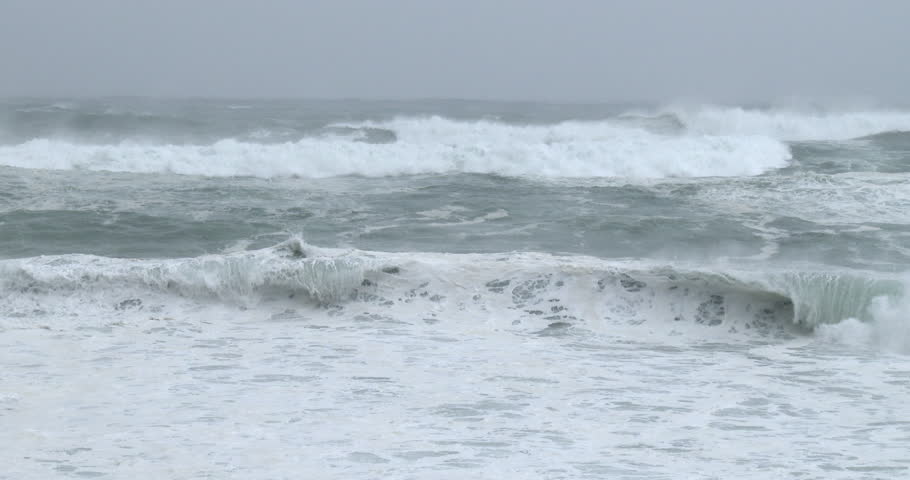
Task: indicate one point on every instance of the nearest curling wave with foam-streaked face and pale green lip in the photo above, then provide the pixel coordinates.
(520, 289)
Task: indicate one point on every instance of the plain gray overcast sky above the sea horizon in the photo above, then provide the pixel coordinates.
(506, 49)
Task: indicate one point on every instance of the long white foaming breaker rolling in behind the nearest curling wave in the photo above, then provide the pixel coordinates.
(429, 145)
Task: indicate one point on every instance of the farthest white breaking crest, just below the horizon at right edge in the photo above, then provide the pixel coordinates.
(786, 124)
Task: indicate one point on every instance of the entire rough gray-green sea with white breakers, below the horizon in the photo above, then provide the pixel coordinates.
(451, 289)
